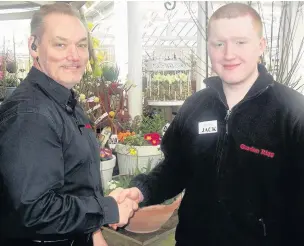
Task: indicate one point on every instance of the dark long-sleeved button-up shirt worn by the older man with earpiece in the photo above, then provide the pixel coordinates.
(49, 165)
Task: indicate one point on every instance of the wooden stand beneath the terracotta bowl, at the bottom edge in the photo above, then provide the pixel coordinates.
(125, 238)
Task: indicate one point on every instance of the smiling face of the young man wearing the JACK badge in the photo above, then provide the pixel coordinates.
(234, 47)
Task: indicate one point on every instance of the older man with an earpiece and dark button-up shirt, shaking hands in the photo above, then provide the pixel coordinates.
(49, 173)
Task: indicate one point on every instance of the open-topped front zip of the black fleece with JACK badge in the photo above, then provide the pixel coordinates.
(227, 117)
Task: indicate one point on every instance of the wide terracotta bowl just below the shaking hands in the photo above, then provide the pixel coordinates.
(152, 218)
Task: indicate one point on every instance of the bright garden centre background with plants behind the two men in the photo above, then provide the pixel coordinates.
(148, 58)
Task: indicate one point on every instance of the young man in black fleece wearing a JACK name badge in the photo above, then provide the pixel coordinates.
(236, 148)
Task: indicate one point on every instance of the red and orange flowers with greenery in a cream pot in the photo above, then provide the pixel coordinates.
(140, 143)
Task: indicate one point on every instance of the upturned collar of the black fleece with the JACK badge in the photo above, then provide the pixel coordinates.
(264, 80)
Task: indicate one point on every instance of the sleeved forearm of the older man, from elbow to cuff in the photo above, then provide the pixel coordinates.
(65, 214)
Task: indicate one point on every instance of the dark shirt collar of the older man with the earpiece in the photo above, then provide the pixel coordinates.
(52, 88)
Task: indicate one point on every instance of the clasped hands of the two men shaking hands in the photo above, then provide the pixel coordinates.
(127, 201)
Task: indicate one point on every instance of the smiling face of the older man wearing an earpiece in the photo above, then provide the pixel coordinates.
(63, 49)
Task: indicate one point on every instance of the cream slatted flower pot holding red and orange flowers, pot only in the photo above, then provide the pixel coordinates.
(128, 162)
